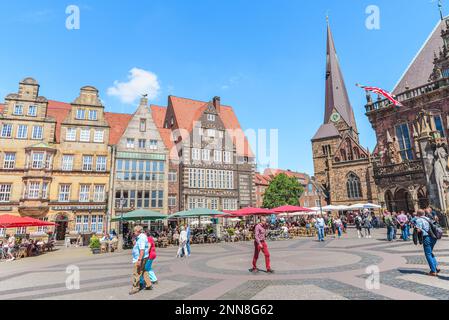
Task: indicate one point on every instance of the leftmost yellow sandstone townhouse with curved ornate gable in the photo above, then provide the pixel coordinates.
(27, 152)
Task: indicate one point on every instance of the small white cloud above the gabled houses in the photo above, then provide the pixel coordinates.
(139, 82)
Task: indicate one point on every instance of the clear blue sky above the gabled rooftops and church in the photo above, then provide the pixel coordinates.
(266, 58)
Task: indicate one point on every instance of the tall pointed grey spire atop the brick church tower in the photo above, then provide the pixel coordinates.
(336, 94)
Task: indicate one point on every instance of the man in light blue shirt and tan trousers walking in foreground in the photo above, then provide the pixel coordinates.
(140, 255)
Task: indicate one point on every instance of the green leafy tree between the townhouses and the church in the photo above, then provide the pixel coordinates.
(283, 190)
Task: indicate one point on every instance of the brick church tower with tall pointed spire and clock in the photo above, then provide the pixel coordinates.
(342, 166)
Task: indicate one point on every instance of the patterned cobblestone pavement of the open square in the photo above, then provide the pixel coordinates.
(338, 269)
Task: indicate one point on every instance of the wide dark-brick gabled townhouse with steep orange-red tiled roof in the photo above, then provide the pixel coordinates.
(216, 167)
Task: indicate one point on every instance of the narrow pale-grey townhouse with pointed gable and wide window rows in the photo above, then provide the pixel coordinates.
(141, 165)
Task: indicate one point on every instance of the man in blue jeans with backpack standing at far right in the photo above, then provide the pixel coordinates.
(431, 232)
